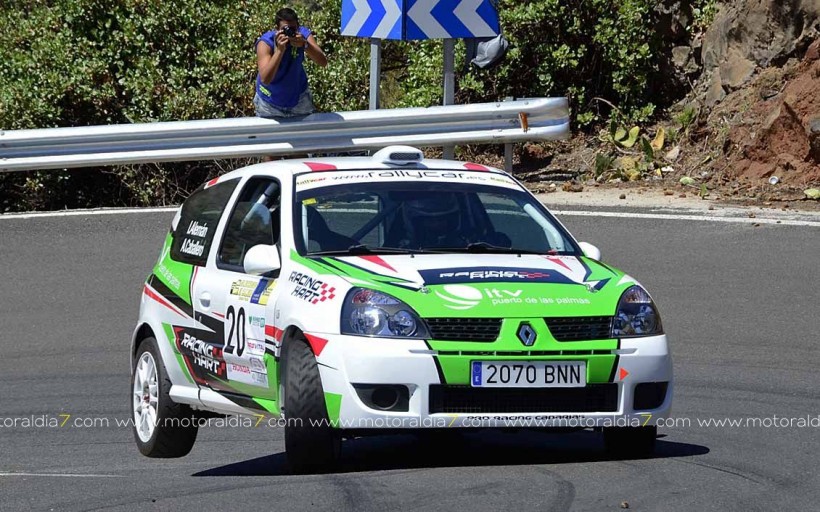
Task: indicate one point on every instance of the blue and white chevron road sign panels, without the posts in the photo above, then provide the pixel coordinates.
(419, 19)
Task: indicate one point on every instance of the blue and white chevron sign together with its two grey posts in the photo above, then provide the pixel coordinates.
(413, 20)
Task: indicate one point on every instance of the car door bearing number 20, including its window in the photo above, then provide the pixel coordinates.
(240, 305)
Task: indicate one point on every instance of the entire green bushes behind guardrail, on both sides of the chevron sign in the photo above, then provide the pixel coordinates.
(88, 62)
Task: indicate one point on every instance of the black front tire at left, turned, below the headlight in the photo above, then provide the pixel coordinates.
(311, 444)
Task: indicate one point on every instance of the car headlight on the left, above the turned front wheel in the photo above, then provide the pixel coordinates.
(371, 313)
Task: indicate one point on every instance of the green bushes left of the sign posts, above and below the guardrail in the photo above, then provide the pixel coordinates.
(91, 62)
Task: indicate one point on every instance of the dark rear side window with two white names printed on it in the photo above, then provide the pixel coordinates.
(198, 220)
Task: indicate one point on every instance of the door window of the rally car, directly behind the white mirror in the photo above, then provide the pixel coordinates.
(254, 220)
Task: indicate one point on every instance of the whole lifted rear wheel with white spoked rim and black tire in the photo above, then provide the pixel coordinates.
(162, 428)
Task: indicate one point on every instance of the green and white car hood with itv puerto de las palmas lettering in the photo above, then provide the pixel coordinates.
(488, 285)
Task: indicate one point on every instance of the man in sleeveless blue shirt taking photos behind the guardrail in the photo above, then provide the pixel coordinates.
(281, 84)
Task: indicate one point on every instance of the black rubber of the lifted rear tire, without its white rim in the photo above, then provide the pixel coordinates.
(176, 426)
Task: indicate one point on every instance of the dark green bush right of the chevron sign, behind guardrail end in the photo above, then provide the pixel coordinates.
(580, 48)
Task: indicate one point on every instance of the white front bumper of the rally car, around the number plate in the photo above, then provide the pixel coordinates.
(348, 362)
